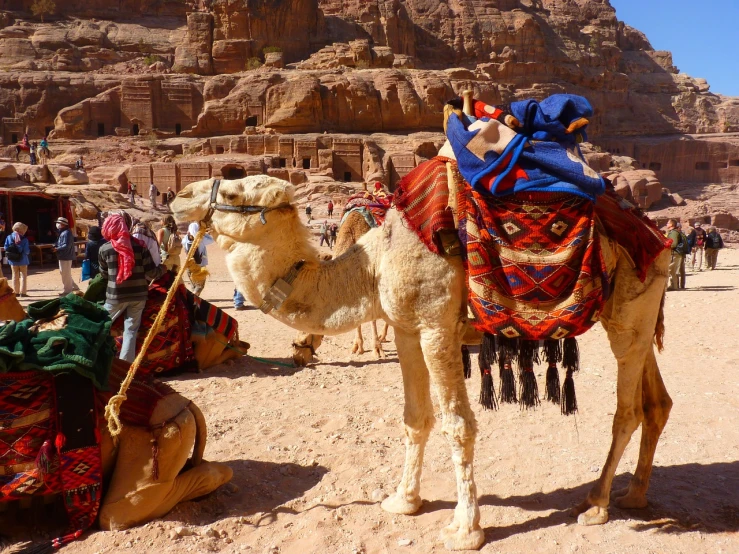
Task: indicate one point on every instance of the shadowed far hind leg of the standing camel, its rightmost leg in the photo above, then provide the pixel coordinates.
(656, 404)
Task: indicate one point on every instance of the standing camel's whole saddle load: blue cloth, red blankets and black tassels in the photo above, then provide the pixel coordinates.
(538, 233)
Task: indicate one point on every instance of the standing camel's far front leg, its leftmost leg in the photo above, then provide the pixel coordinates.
(418, 417)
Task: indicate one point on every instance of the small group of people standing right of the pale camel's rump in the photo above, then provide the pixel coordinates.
(695, 244)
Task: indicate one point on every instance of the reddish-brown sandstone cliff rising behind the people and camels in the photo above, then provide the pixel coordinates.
(196, 68)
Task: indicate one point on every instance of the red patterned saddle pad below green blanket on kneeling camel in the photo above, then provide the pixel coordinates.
(49, 442)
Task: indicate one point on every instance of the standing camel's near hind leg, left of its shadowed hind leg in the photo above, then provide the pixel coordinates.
(594, 509)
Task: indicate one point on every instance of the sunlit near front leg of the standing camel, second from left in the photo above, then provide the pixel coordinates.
(443, 356)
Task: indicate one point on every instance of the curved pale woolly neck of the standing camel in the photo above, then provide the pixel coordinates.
(327, 297)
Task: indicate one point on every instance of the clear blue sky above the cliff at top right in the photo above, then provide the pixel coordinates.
(703, 36)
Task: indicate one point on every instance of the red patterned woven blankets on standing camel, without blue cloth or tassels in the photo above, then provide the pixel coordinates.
(534, 263)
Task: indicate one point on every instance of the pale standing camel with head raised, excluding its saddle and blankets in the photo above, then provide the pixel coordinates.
(390, 274)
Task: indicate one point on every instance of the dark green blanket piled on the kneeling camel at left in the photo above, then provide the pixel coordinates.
(83, 344)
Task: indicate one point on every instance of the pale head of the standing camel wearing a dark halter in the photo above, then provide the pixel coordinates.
(241, 205)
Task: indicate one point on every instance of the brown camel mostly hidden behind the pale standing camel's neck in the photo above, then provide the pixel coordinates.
(305, 344)
